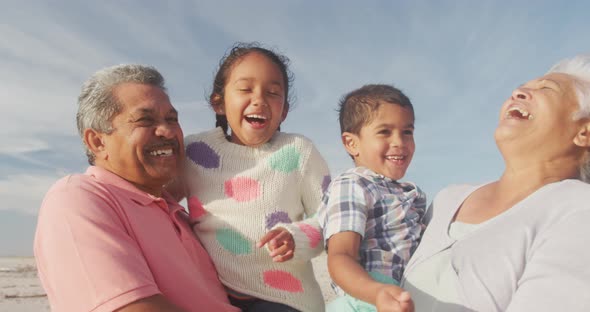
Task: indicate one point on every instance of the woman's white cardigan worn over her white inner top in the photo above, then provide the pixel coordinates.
(532, 257)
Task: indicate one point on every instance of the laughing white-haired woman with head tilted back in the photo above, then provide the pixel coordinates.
(516, 244)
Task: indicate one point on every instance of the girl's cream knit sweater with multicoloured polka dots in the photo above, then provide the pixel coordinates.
(237, 193)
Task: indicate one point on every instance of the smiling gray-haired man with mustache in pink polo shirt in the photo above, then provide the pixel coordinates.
(112, 239)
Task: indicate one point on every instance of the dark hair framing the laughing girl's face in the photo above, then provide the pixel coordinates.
(227, 63)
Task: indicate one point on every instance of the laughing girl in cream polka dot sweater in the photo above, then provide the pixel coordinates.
(245, 178)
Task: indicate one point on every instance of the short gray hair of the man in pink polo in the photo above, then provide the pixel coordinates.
(97, 105)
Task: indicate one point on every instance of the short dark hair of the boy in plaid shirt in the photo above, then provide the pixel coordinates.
(358, 108)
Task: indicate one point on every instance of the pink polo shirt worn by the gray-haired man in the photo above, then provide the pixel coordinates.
(101, 244)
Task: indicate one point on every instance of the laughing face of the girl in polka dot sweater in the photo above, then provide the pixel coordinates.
(254, 101)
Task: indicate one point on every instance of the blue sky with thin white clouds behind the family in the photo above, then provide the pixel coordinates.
(456, 60)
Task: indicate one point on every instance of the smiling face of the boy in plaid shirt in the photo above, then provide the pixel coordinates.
(386, 144)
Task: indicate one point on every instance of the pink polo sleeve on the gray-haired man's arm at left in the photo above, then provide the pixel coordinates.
(86, 259)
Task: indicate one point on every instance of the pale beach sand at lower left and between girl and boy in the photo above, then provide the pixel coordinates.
(21, 291)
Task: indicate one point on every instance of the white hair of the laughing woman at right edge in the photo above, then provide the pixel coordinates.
(579, 68)
